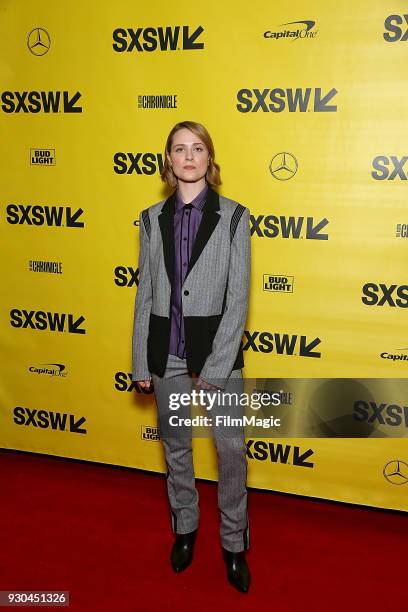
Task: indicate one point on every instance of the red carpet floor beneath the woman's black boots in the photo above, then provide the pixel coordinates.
(103, 534)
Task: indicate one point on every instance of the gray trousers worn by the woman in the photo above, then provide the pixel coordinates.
(180, 478)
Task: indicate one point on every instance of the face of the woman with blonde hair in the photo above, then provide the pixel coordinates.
(188, 156)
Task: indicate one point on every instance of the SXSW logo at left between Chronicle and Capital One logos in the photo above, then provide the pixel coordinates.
(42, 320)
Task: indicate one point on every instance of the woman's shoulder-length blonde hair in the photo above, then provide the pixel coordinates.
(213, 172)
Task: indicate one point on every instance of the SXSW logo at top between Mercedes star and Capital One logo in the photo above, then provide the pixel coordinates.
(168, 38)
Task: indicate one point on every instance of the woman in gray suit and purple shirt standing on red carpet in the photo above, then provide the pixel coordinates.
(190, 313)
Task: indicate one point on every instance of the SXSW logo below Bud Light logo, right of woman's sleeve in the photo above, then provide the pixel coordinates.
(282, 344)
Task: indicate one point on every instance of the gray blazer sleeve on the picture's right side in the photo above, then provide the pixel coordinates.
(218, 365)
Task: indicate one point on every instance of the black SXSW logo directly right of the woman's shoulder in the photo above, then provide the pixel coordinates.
(271, 226)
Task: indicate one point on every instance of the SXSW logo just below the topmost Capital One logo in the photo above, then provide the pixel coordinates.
(277, 100)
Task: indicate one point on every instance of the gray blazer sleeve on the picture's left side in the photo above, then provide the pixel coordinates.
(143, 306)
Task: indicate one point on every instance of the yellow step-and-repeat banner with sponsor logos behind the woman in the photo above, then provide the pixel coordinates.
(307, 107)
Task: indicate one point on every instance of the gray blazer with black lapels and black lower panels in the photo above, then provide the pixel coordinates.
(214, 294)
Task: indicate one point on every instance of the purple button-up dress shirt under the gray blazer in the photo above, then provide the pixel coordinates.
(187, 219)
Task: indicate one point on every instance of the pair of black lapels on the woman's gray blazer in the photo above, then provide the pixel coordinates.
(208, 223)
